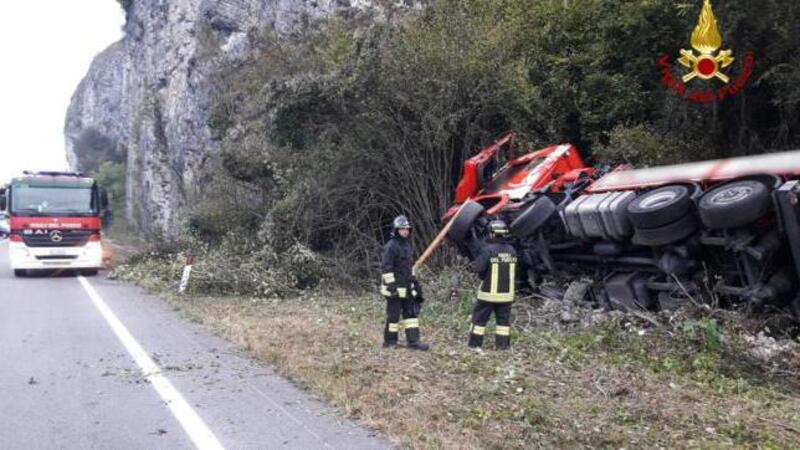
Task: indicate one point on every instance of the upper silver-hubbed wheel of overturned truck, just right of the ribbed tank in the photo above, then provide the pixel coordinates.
(660, 207)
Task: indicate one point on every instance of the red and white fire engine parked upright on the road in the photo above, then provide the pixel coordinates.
(54, 222)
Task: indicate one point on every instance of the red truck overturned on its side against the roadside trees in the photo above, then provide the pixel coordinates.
(654, 238)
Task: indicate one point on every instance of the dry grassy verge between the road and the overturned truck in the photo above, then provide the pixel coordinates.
(613, 383)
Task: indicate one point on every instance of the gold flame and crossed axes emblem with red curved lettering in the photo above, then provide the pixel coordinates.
(706, 61)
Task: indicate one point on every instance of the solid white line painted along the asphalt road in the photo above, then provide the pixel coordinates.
(191, 422)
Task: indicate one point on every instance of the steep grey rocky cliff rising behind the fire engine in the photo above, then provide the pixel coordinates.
(147, 94)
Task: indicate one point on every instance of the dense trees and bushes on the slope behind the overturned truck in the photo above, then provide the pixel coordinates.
(338, 131)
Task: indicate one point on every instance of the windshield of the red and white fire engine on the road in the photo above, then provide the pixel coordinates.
(51, 201)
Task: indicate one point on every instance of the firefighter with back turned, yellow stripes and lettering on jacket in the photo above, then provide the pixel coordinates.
(496, 265)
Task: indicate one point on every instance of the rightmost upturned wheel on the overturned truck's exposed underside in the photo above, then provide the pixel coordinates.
(734, 204)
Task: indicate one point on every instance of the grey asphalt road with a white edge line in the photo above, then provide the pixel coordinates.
(96, 364)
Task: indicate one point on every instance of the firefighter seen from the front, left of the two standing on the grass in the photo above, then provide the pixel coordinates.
(401, 290)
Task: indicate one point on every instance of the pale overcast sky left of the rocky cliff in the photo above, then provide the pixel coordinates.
(46, 48)
